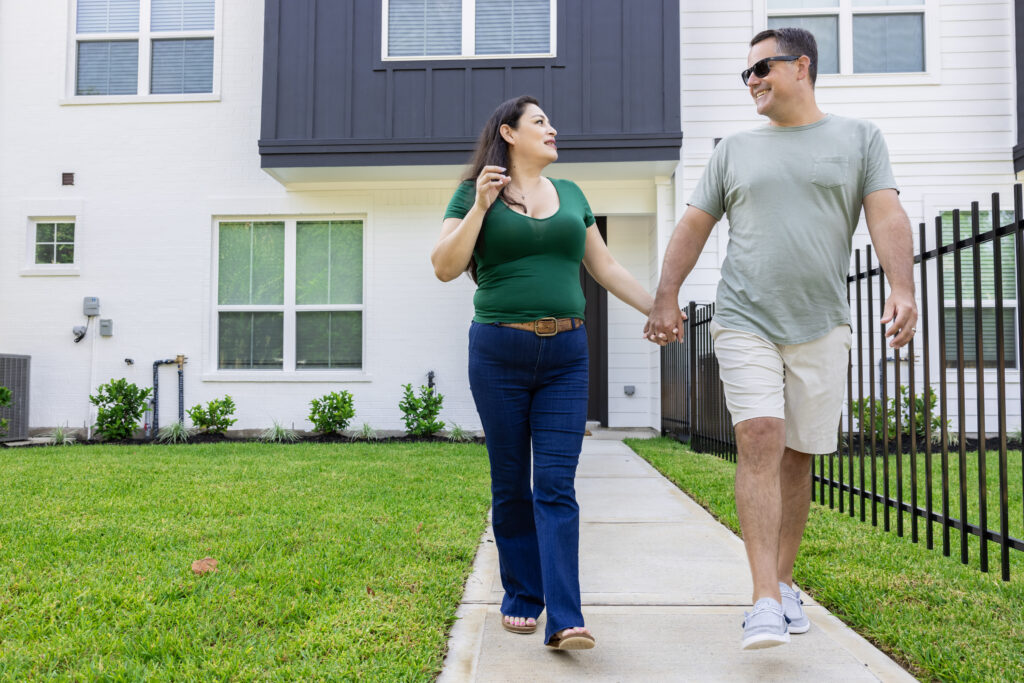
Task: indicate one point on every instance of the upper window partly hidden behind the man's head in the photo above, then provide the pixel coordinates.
(860, 36)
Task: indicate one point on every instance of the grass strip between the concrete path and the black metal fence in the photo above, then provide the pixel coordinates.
(942, 620)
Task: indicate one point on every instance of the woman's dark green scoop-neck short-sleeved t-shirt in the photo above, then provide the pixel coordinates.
(528, 269)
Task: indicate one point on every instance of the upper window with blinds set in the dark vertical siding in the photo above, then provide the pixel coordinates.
(468, 28)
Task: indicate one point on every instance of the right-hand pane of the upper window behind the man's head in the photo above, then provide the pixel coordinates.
(888, 44)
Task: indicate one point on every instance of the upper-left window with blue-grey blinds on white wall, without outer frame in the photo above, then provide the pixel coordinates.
(131, 48)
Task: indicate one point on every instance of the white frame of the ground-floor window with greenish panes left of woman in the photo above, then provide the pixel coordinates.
(289, 372)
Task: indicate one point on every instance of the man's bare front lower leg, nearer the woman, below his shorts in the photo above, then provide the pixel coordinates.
(761, 443)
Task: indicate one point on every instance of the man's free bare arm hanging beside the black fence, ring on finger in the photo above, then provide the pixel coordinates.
(891, 235)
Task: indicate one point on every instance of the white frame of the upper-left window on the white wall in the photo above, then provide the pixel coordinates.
(145, 36)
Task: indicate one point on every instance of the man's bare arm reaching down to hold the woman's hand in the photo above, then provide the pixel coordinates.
(666, 322)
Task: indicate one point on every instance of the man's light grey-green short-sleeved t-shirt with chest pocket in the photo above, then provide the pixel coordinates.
(793, 197)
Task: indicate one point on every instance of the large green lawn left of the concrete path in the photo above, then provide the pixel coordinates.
(336, 562)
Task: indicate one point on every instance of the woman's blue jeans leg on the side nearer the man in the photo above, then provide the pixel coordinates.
(559, 418)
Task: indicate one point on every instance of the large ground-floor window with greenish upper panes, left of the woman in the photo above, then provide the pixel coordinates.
(298, 314)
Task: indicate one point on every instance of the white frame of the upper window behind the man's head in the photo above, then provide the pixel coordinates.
(846, 12)
